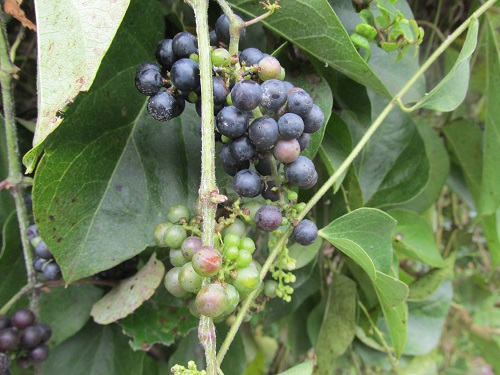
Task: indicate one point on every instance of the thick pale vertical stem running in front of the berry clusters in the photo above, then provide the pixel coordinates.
(208, 187)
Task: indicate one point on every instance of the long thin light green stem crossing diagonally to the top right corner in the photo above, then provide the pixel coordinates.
(343, 168)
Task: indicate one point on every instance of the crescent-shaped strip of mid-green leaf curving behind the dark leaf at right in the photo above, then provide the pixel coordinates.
(439, 164)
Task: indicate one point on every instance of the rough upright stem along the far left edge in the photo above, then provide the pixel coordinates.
(15, 177)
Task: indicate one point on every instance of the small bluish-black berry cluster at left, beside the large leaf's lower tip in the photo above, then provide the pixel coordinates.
(44, 262)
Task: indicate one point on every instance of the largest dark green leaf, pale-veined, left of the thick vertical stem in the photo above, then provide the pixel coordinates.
(111, 172)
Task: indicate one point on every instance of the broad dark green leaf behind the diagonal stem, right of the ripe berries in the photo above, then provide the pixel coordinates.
(393, 168)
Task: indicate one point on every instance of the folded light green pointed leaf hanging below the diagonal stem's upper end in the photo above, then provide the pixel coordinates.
(451, 91)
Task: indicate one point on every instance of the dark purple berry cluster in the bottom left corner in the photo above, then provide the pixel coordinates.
(23, 339)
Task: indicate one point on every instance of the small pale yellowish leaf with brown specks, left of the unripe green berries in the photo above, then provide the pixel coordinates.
(129, 294)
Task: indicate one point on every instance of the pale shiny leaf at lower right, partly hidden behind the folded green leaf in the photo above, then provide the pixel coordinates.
(426, 320)
